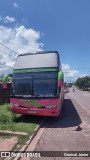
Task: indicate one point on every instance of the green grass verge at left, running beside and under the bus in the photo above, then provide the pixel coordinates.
(18, 123)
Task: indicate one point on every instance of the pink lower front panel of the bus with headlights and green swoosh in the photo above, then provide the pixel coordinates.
(20, 106)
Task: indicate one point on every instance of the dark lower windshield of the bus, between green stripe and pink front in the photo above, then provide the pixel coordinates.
(41, 84)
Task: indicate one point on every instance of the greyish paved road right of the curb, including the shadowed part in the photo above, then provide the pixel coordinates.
(70, 131)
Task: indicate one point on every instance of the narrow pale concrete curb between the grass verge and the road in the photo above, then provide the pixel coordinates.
(29, 141)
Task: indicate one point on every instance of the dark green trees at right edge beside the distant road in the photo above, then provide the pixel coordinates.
(83, 82)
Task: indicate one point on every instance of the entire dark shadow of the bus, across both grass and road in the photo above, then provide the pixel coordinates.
(69, 117)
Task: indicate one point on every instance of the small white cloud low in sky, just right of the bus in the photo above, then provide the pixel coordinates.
(71, 74)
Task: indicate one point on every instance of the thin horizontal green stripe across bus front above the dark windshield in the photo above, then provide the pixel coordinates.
(34, 70)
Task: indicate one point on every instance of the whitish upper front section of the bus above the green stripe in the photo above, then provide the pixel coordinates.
(37, 60)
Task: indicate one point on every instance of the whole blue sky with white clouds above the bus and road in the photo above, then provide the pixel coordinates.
(61, 25)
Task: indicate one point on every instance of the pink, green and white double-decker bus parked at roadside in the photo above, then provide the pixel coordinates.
(38, 84)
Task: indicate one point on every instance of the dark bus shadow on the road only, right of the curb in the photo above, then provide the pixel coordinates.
(69, 117)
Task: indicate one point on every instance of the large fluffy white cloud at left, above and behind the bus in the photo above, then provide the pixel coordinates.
(19, 39)
